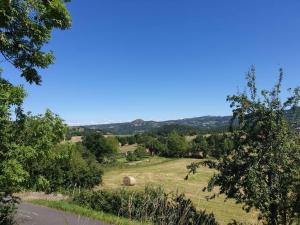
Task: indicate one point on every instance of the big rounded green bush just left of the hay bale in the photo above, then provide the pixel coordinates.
(71, 166)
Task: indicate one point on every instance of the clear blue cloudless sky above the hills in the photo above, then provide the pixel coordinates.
(164, 59)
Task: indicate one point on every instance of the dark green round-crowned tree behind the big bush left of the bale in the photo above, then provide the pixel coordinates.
(103, 148)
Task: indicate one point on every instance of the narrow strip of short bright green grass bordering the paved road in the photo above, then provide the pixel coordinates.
(78, 210)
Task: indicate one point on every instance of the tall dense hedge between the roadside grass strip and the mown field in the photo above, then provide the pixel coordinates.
(152, 204)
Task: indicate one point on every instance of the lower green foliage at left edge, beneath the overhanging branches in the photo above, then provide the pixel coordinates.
(12, 174)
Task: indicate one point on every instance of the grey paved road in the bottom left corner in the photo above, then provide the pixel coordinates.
(29, 214)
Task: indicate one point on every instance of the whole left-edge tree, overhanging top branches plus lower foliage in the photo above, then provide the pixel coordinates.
(25, 26)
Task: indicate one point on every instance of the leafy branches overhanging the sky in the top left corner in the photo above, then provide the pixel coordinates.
(25, 26)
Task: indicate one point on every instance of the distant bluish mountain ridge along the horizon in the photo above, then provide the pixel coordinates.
(201, 123)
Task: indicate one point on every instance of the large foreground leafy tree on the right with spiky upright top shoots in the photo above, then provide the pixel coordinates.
(262, 171)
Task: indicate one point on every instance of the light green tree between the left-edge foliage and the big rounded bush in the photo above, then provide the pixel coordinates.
(38, 137)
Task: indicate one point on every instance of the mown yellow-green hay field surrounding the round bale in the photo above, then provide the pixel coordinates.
(170, 173)
